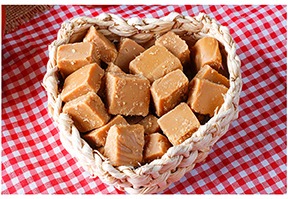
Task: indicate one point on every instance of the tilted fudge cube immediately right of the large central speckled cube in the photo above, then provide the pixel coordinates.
(169, 91)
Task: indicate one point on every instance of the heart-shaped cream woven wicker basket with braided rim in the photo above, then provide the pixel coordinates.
(160, 173)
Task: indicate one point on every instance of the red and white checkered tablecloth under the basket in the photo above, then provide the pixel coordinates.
(250, 158)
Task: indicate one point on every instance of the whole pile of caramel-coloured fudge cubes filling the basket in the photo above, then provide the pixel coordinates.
(133, 102)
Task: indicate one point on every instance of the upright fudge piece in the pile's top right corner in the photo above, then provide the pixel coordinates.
(206, 51)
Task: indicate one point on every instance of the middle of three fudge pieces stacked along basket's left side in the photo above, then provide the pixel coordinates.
(86, 79)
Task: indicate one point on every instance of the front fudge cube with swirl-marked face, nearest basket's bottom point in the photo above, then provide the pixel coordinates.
(124, 145)
